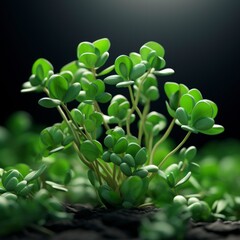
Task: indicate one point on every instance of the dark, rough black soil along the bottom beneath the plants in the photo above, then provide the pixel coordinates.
(101, 224)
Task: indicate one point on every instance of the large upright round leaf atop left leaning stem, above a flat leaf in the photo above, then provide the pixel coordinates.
(57, 86)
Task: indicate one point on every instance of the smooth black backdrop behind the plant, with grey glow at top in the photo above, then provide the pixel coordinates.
(201, 39)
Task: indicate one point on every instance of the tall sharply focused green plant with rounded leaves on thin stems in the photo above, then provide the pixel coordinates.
(119, 145)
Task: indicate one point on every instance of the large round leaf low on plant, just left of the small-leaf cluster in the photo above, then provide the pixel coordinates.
(89, 150)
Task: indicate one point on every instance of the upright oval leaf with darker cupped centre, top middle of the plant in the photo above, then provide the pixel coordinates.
(123, 66)
